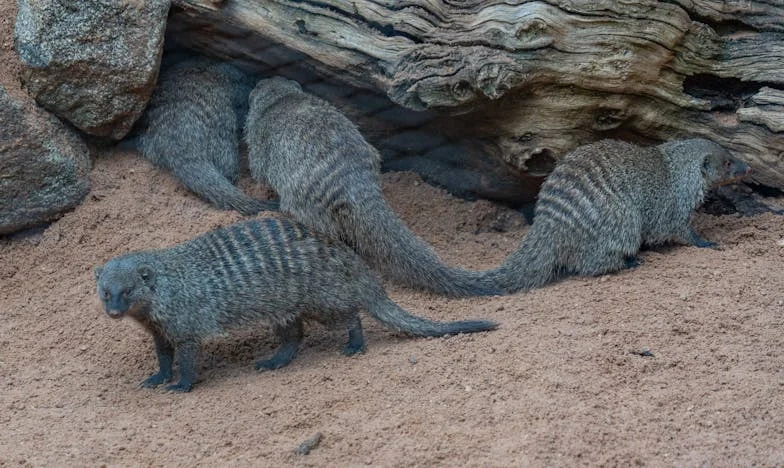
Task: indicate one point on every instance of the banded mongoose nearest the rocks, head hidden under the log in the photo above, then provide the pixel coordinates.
(192, 127)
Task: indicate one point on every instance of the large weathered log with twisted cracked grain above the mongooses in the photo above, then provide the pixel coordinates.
(539, 78)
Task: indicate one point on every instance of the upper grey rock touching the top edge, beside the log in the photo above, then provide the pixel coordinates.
(92, 62)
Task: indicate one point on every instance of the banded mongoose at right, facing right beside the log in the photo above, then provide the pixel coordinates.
(604, 200)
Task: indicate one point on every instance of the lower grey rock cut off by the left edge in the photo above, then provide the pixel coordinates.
(43, 165)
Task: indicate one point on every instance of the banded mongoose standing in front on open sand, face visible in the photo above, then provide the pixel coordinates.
(273, 270)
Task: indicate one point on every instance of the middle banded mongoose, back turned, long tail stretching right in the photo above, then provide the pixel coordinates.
(327, 177)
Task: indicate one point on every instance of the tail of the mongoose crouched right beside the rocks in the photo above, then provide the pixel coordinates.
(204, 179)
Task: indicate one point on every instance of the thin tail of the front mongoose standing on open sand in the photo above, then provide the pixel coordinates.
(396, 318)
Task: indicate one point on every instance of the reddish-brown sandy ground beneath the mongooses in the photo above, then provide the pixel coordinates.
(561, 382)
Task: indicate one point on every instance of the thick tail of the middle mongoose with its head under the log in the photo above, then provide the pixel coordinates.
(394, 249)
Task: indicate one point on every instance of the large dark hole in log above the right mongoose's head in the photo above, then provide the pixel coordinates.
(723, 93)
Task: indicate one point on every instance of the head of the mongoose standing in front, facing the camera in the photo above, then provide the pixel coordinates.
(125, 287)
